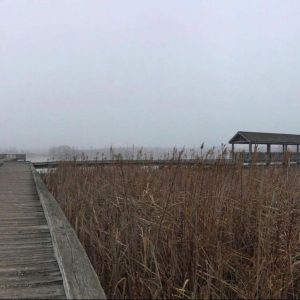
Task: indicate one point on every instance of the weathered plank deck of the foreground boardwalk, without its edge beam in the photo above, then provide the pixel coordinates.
(28, 267)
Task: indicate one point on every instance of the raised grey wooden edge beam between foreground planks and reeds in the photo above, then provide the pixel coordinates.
(80, 279)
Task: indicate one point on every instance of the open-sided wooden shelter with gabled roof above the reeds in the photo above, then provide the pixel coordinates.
(264, 138)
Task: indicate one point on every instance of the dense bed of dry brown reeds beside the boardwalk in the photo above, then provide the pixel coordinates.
(222, 231)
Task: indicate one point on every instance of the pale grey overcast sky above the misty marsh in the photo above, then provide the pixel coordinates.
(149, 73)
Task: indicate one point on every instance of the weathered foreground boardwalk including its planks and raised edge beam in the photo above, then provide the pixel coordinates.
(40, 255)
